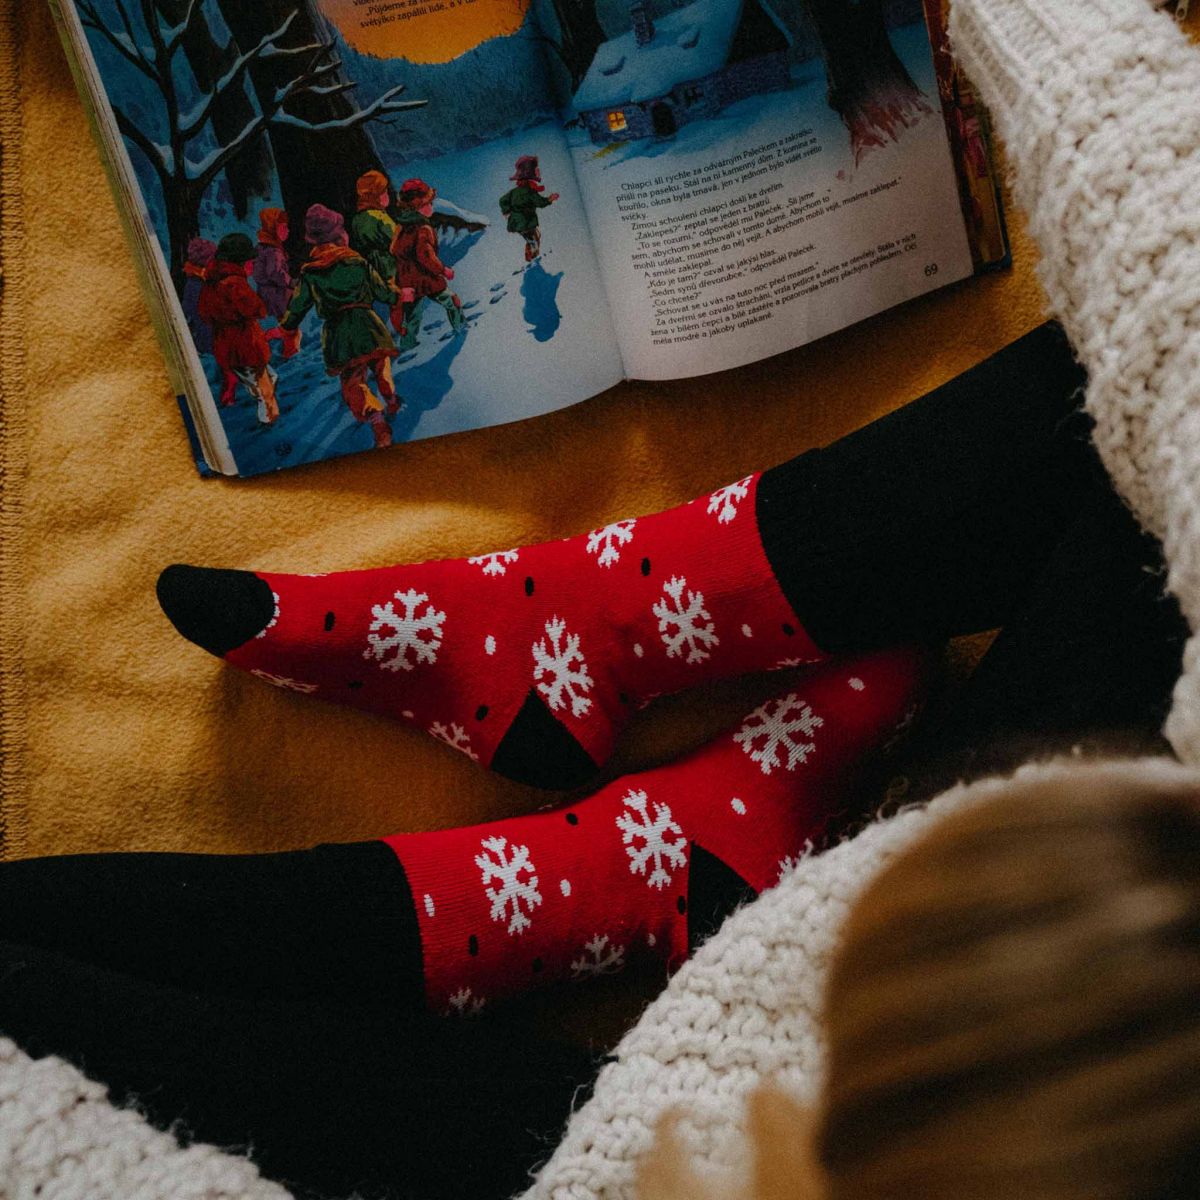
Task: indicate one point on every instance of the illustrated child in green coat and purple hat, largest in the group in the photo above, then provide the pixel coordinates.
(344, 289)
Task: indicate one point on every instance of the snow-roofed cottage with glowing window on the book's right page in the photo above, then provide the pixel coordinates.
(682, 68)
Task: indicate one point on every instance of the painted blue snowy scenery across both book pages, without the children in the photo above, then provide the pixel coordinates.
(231, 109)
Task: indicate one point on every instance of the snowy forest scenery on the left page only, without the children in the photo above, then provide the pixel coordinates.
(231, 109)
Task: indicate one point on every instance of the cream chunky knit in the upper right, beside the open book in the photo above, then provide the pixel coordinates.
(1097, 104)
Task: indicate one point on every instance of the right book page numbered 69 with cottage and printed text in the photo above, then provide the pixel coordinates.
(758, 173)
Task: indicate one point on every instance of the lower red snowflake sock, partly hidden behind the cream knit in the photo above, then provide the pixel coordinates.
(584, 890)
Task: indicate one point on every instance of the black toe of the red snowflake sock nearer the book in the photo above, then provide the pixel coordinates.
(215, 609)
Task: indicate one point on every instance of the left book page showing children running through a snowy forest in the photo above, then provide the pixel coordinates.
(322, 182)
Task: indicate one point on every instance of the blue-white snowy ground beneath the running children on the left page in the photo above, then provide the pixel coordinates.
(538, 338)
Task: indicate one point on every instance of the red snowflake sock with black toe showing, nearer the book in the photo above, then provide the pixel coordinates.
(529, 661)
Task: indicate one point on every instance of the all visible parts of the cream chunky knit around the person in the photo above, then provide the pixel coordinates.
(1097, 101)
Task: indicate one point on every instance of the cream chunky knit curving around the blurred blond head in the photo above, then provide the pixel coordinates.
(747, 1009)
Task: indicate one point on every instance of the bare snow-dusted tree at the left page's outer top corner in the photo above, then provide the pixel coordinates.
(307, 70)
